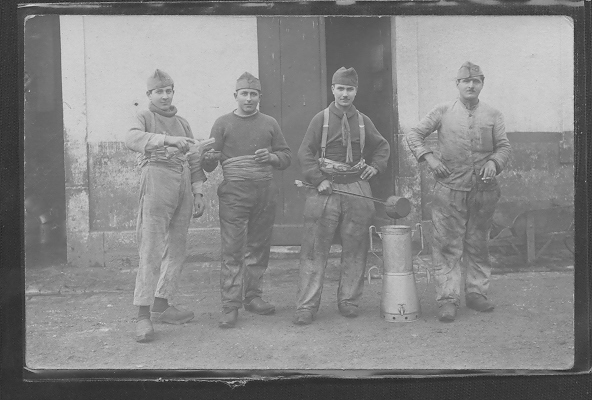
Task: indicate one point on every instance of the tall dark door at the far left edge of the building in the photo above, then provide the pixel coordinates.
(44, 176)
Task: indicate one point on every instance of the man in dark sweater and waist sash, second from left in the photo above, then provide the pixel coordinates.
(249, 145)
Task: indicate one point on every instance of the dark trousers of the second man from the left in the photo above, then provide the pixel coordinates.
(247, 214)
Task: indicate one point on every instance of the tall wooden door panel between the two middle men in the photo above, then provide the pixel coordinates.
(291, 69)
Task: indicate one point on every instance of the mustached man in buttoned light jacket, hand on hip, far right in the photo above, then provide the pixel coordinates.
(472, 150)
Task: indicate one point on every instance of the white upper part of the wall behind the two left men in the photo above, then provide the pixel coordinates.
(203, 54)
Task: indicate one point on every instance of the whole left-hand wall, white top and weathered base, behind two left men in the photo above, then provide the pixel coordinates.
(105, 63)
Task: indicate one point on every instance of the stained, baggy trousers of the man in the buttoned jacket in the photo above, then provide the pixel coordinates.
(462, 221)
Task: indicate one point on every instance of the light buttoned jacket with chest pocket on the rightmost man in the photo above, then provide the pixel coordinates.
(467, 139)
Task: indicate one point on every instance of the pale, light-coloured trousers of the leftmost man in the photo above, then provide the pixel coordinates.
(166, 205)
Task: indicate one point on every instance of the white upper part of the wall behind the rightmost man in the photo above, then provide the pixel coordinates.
(527, 62)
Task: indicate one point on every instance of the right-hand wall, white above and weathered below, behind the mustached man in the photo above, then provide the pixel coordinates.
(528, 65)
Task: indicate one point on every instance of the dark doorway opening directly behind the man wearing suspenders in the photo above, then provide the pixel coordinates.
(365, 44)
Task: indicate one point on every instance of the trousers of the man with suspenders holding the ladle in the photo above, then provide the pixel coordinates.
(323, 214)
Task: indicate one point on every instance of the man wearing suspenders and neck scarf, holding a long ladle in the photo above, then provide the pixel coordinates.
(338, 143)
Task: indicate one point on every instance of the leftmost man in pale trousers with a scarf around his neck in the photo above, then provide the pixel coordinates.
(170, 188)
